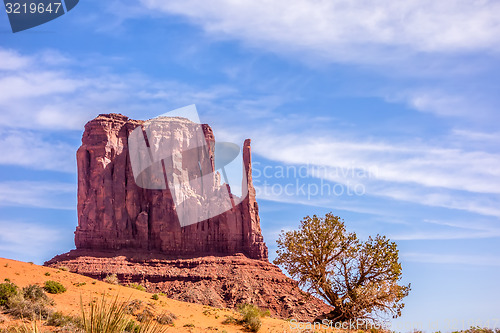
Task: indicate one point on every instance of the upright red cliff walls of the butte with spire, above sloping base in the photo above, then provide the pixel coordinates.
(114, 213)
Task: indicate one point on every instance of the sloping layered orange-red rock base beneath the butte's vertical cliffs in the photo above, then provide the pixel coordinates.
(216, 281)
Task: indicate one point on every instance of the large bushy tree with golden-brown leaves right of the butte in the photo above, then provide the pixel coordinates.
(357, 278)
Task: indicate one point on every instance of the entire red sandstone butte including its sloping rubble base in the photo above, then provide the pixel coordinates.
(135, 232)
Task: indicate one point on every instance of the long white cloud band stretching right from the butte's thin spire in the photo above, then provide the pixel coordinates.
(411, 162)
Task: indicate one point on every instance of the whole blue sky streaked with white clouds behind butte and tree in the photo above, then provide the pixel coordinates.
(395, 105)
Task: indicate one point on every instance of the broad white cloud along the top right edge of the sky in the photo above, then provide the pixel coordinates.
(348, 30)
